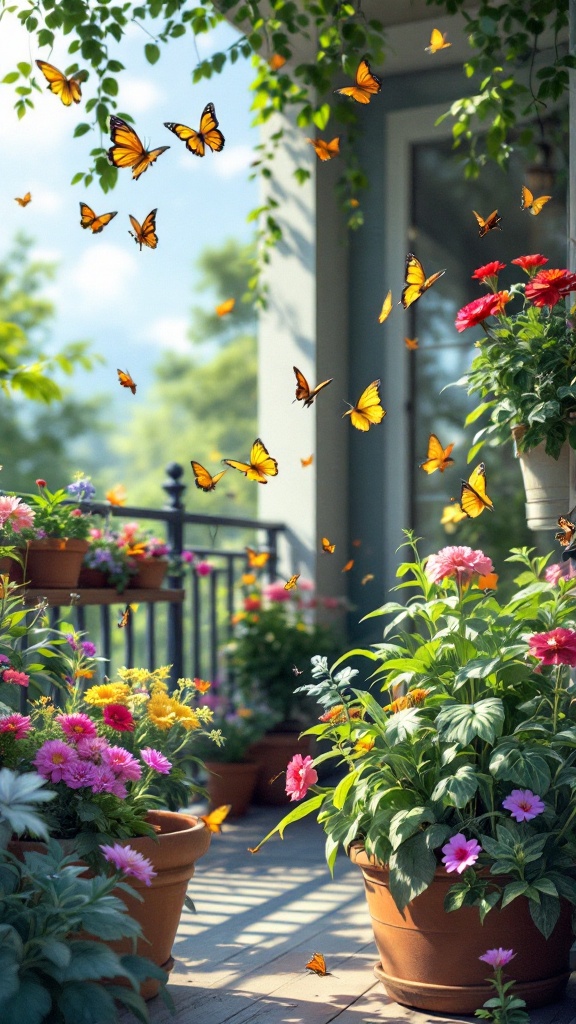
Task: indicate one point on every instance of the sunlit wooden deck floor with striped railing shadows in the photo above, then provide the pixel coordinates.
(240, 960)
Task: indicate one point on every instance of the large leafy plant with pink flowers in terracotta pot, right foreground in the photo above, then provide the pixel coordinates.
(458, 792)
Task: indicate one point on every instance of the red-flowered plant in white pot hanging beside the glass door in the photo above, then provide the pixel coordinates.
(525, 375)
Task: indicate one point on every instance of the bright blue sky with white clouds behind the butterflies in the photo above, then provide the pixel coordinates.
(131, 305)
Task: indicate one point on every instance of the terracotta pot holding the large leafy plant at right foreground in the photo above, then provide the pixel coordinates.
(430, 959)
